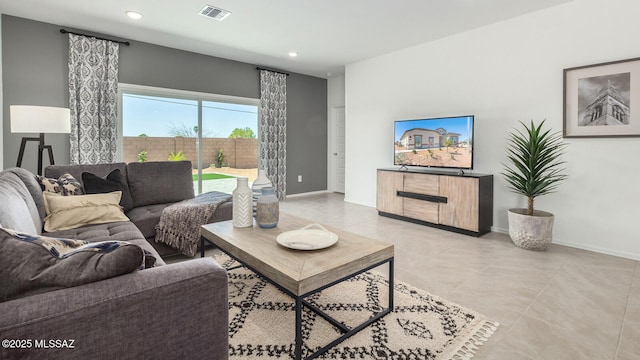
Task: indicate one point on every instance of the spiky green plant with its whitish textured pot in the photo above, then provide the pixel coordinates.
(534, 168)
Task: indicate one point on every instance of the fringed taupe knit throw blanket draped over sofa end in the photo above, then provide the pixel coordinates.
(179, 225)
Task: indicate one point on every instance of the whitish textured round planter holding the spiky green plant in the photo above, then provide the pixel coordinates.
(531, 232)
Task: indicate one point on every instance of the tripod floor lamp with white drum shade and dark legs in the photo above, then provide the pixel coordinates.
(41, 120)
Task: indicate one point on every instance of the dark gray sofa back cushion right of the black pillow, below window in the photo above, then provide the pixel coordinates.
(160, 182)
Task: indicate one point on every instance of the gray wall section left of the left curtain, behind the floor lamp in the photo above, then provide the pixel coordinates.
(34, 69)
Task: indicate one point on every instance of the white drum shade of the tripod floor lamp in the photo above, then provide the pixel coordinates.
(39, 119)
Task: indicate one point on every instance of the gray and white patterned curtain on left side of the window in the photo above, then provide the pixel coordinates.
(93, 87)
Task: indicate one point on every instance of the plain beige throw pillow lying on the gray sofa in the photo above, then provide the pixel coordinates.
(70, 212)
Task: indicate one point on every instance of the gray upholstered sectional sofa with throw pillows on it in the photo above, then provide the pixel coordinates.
(176, 311)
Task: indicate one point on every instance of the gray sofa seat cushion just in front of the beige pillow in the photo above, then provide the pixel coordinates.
(119, 231)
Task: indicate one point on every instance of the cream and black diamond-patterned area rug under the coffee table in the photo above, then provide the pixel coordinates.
(422, 326)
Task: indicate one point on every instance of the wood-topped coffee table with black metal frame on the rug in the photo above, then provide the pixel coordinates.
(302, 273)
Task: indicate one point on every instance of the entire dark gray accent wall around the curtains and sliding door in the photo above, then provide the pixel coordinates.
(35, 72)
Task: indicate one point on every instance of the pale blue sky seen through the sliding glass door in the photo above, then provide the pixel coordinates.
(157, 116)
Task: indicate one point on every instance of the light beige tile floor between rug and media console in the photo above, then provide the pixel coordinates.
(563, 303)
